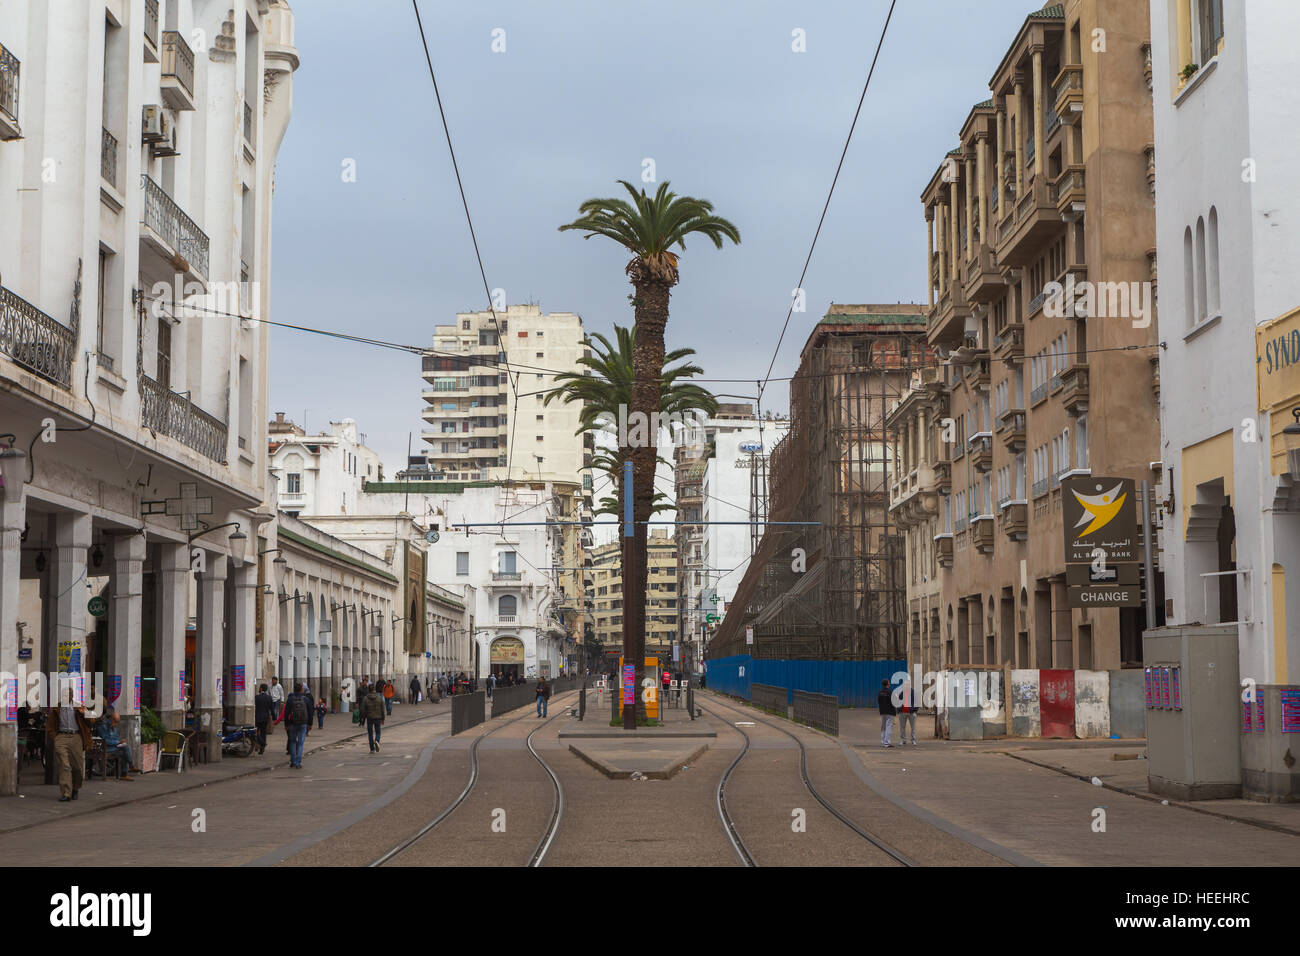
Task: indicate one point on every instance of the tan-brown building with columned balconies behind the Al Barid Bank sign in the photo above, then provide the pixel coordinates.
(1051, 183)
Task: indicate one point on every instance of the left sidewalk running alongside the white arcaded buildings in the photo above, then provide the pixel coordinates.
(37, 803)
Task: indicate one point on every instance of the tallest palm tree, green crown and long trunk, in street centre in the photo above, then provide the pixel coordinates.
(649, 228)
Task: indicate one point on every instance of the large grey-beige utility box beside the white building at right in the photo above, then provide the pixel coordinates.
(1194, 711)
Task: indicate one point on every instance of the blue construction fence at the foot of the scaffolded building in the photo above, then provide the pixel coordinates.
(853, 684)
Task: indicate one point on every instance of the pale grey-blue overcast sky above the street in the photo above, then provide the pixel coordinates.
(712, 92)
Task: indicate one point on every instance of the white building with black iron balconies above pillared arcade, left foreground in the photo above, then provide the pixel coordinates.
(137, 148)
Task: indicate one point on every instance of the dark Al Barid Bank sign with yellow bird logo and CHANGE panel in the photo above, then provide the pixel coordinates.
(1102, 542)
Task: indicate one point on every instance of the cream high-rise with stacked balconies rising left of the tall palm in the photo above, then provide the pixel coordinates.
(475, 427)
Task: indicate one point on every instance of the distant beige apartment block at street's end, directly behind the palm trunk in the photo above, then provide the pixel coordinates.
(661, 599)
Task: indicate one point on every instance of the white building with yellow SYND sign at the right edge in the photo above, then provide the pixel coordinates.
(1230, 386)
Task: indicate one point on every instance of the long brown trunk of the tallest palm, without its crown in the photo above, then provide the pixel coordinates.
(648, 349)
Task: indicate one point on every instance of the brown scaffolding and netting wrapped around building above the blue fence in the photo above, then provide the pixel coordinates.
(838, 590)
